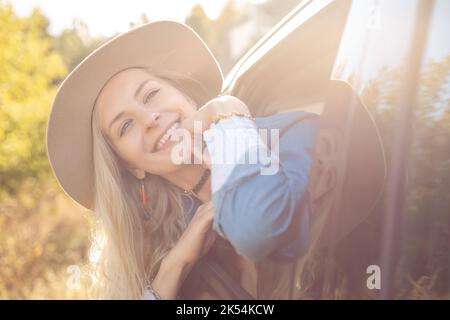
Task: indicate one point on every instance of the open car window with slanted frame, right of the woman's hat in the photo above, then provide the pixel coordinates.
(293, 62)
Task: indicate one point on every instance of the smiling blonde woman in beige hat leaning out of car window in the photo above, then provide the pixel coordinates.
(111, 145)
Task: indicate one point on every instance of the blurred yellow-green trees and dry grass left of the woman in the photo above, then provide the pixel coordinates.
(41, 232)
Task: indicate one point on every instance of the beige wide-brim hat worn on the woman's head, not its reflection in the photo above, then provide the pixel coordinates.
(161, 45)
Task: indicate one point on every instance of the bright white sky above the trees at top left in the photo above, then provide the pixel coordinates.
(106, 18)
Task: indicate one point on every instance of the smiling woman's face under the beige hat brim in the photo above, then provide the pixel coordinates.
(135, 111)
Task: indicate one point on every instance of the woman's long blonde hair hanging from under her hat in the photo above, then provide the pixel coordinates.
(126, 249)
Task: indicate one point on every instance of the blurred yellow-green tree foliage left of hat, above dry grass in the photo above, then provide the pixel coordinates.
(29, 68)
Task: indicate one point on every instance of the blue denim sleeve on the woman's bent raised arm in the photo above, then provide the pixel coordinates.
(261, 215)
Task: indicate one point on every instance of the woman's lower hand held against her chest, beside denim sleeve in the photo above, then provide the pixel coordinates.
(198, 237)
